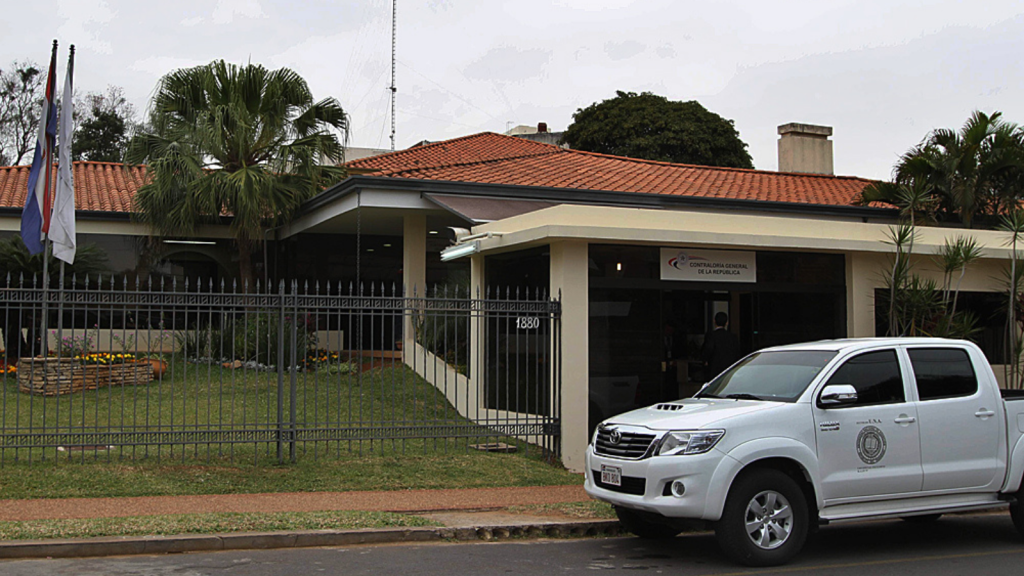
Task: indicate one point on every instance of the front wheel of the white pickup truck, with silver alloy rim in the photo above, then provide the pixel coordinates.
(765, 520)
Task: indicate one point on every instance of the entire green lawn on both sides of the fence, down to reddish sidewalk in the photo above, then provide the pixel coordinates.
(196, 396)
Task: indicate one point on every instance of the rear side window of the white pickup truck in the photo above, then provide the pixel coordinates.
(944, 374)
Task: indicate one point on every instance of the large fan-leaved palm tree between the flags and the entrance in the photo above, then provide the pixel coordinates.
(238, 142)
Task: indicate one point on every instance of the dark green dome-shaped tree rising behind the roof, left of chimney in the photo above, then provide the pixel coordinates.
(654, 128)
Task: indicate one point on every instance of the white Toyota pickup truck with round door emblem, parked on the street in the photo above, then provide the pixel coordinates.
(795, 437)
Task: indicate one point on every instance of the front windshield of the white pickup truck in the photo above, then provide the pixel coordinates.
(776, 377)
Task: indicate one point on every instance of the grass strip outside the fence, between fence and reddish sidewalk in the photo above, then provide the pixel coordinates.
(94, 480)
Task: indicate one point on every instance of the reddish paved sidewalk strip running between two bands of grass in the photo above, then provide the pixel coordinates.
(399, 502)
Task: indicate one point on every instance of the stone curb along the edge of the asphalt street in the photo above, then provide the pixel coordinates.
(134, 546)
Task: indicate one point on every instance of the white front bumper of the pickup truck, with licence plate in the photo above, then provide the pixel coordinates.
(658, 473)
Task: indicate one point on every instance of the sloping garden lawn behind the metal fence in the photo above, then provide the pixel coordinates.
(240, 409)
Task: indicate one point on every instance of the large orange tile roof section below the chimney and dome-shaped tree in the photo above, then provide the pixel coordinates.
(491, 158)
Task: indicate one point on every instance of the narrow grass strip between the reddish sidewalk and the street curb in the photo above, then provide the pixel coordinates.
(204, 524)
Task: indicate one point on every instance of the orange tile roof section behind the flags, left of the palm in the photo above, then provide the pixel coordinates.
(101, 187)
